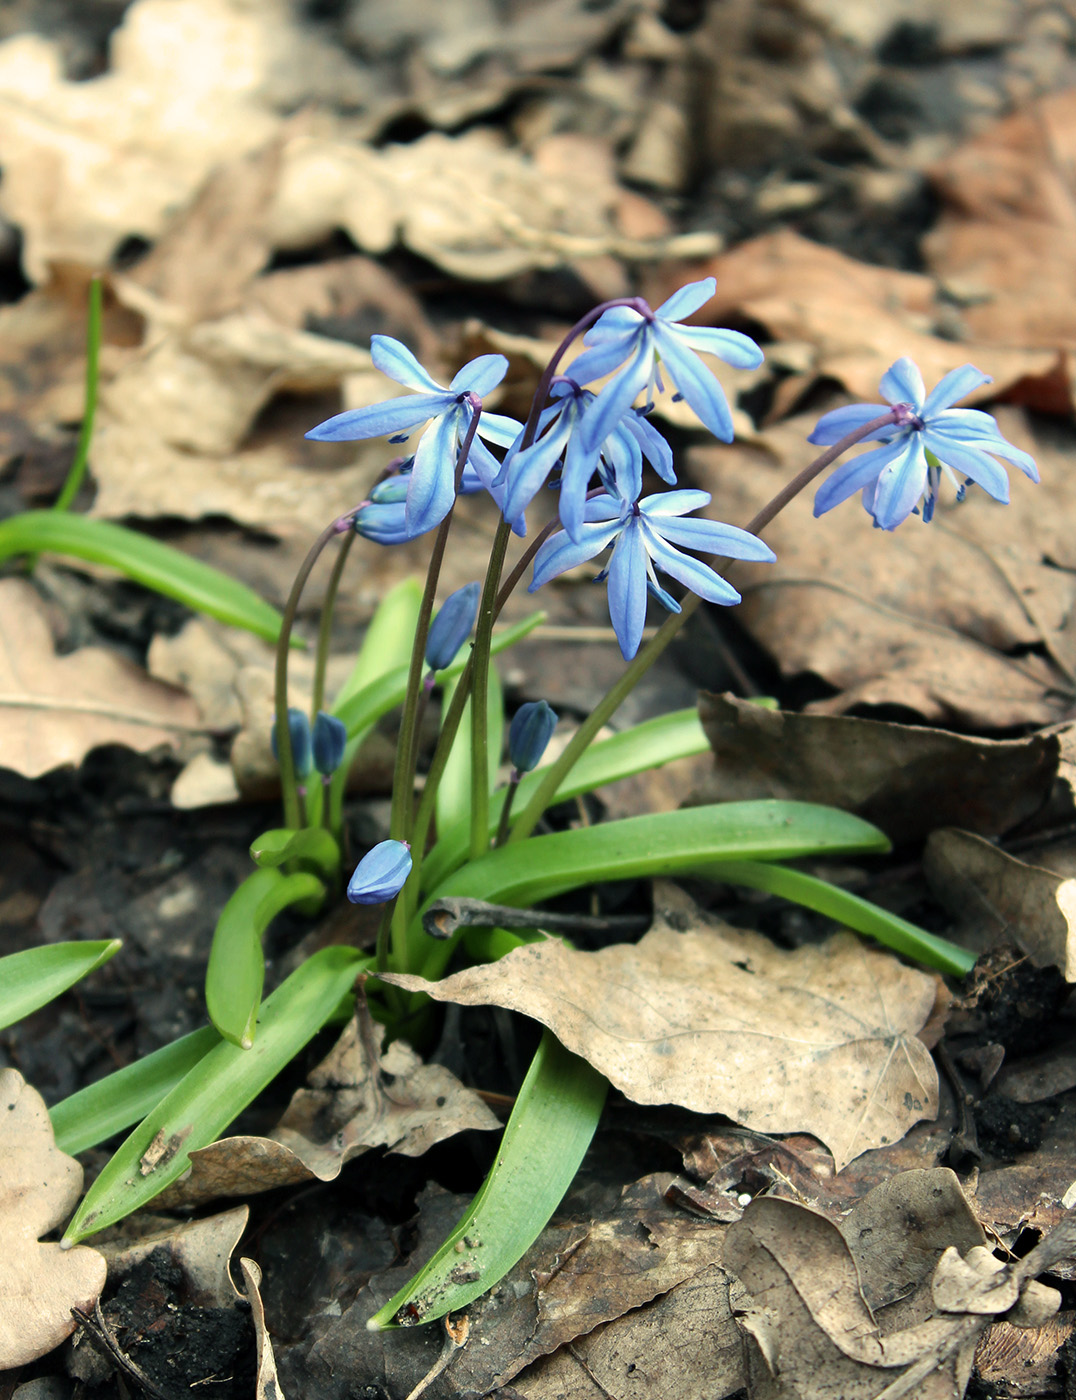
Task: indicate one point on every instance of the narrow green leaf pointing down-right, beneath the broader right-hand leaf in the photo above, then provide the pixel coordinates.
(850, 911)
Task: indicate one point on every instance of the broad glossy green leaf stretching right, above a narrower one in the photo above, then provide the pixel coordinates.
(667, 843)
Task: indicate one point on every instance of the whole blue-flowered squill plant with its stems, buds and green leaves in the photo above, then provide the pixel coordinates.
(593, 442)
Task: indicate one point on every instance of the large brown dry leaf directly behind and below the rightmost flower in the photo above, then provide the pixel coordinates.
(937, 619)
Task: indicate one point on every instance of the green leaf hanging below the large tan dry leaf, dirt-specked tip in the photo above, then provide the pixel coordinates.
(544, 1144)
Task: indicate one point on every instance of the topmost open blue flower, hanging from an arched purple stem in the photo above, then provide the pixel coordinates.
(650, 341)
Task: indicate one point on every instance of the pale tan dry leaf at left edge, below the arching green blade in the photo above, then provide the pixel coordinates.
(57, 709)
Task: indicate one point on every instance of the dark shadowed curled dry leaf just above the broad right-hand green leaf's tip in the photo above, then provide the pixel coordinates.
(905, 779)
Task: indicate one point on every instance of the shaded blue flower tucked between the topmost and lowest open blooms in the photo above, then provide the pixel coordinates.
(619, 458)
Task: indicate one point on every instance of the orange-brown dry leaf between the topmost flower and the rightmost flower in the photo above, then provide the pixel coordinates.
(860, 318)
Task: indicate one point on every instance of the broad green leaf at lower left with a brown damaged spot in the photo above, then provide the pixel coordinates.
(216, 1091)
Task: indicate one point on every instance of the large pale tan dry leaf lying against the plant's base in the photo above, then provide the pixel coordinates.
(720, 1021)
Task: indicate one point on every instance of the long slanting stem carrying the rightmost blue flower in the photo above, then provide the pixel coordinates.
(637, 668)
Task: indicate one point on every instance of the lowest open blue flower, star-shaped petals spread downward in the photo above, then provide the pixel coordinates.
(644, 537)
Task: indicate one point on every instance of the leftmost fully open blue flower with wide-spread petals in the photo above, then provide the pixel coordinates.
(446, 412)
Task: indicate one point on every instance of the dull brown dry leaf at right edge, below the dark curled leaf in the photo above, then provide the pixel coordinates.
(1000, 898)
